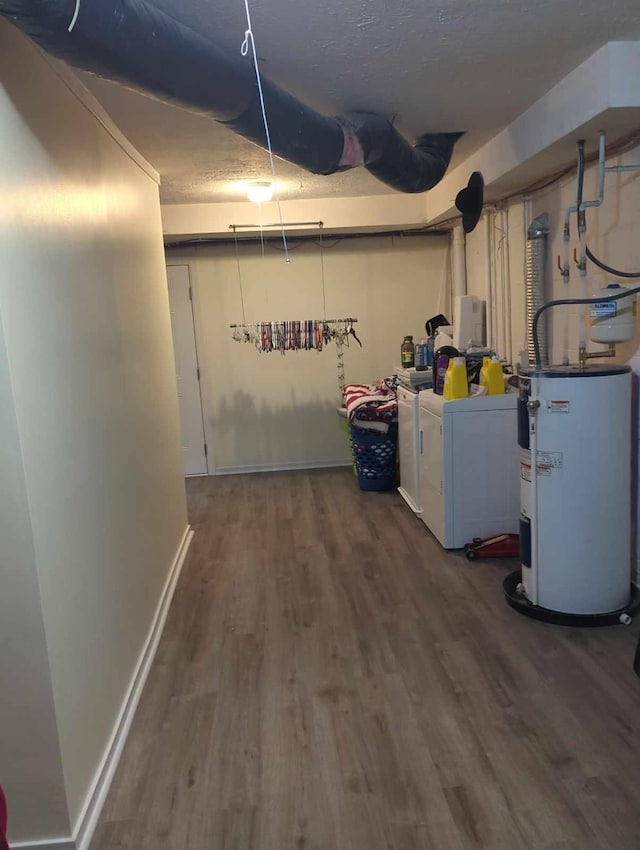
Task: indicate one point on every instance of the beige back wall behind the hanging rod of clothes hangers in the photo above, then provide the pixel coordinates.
(273, 411)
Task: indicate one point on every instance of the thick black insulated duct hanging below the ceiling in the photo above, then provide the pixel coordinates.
(141, 47)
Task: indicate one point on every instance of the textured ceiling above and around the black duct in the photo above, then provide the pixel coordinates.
(437, 66)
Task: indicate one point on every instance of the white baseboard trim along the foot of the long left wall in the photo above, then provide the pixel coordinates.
(88, 819)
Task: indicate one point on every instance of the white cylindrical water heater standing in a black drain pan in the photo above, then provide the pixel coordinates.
(574, 433)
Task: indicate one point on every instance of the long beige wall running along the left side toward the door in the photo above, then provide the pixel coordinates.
(83, 301)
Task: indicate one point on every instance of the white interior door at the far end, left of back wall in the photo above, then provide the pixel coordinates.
(194, 450)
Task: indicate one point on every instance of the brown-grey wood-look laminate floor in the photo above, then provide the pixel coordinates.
(330, 679)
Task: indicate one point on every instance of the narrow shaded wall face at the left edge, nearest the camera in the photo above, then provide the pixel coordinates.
(30, 763)
